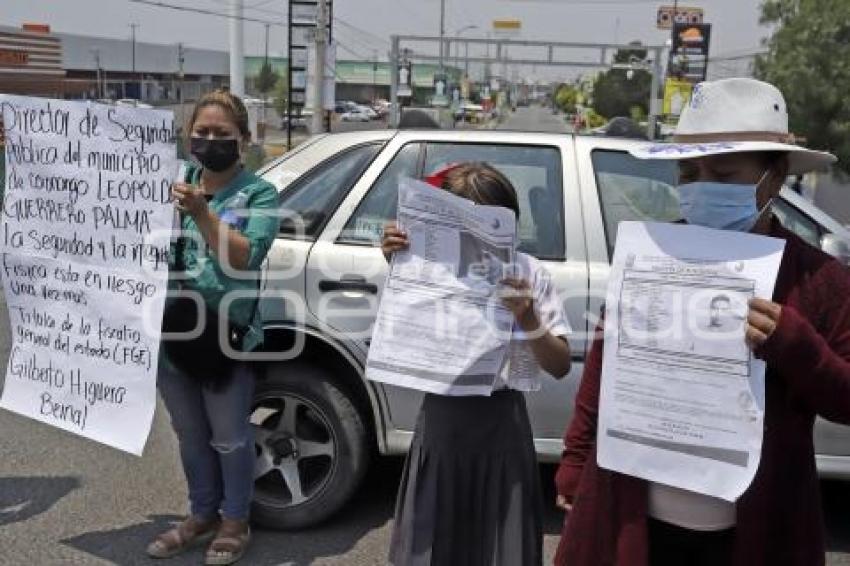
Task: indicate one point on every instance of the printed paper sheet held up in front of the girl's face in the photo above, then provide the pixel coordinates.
(440, 326)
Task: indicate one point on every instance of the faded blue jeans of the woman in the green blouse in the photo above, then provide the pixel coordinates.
(216, 439)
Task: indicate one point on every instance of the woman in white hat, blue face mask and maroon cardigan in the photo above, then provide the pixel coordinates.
(734, 152)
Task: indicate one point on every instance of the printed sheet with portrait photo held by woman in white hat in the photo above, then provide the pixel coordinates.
(682, 396)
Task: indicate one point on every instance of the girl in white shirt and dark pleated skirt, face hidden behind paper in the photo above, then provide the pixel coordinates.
(470, 494)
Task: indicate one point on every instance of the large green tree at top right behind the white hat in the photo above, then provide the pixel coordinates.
(808, 59)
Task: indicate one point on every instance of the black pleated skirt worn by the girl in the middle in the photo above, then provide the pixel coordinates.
(470, 494)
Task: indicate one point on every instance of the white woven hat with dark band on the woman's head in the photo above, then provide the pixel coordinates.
(735, 116)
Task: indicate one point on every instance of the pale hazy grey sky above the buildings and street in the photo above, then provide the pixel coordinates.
(363, 27)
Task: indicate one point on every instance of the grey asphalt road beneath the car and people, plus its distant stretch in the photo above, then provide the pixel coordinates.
(64, 500)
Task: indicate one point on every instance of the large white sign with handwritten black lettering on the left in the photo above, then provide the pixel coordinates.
(83, 258)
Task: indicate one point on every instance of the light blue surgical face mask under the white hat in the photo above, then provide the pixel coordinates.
(725, 206)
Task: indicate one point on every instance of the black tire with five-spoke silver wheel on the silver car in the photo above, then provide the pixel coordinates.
(324, 455)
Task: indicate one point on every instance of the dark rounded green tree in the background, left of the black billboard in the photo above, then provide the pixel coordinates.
(616, 92)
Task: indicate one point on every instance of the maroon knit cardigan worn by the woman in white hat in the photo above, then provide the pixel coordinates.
(779, 518)
